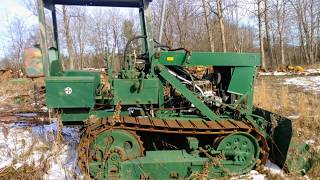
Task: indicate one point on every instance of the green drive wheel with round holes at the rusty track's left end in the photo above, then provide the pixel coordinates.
(107, 151)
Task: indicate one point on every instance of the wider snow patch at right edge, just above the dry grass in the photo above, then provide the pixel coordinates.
(309, 83)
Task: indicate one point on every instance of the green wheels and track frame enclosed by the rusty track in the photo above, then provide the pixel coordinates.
(118, 154)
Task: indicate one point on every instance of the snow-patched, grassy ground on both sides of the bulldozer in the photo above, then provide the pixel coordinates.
(40, 150)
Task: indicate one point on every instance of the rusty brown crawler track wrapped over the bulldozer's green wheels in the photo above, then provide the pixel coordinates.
(192, 127)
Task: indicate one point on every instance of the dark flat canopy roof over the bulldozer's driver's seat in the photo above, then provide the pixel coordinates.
(111, 3)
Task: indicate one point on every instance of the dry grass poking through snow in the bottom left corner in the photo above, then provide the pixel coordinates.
(34, 170)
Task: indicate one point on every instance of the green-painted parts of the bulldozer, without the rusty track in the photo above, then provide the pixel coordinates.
(78, 95)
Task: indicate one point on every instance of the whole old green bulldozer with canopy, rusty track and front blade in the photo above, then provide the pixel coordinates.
(165, 113)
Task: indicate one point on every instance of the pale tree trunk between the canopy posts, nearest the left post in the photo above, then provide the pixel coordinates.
(66, 23)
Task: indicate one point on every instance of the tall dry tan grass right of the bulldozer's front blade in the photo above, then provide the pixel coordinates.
(302, 107)
